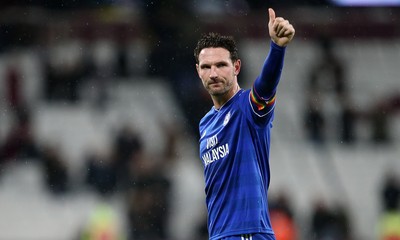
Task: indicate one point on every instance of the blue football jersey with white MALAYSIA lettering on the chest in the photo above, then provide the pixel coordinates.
(234, 148)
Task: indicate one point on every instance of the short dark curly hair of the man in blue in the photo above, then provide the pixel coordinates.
(215, 40)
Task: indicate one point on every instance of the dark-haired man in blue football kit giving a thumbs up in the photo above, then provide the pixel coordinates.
(235, 134)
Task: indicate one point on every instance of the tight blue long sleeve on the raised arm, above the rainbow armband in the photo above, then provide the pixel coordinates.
(265, 85)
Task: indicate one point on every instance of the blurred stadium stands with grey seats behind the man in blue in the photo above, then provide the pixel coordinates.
(100, 102)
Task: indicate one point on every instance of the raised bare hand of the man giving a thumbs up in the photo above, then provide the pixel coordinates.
(280, 30)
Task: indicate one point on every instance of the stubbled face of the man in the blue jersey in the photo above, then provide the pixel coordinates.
(216, 70)
